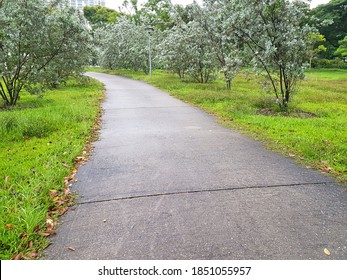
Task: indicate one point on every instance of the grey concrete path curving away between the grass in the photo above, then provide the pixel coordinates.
(166, 182)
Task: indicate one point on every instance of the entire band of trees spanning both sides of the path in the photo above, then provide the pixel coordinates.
(41, 44)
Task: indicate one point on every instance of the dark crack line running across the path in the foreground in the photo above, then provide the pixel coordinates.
(200, 191)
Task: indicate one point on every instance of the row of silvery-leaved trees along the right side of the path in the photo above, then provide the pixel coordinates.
(273, 37)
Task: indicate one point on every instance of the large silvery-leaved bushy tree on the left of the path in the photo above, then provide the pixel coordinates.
(41, 45)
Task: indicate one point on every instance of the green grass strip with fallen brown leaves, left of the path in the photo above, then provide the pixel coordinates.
(42, 139)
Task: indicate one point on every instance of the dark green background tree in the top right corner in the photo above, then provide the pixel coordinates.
(336, 12)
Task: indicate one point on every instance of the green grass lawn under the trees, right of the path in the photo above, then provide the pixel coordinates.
(314, 130)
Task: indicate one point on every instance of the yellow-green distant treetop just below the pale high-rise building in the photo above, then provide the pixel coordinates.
(97, 15)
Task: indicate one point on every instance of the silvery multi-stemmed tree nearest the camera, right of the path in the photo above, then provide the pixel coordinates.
(275, 38)
